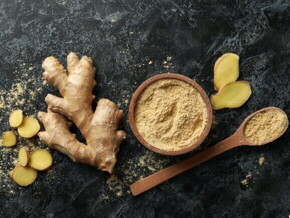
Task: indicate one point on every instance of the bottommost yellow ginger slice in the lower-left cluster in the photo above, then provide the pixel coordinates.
(23, 176)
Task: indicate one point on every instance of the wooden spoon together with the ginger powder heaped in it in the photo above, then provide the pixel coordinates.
(261, 127)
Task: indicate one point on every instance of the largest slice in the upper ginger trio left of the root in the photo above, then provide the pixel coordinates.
(29, 127)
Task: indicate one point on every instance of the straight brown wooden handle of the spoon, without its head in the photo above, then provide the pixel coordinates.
(159, 177)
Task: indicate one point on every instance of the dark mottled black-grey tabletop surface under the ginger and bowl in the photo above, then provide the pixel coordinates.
(130, 41)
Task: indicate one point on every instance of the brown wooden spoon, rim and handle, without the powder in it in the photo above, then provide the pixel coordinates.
(235, 140)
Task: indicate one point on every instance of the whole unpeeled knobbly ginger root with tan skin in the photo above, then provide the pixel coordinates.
(99, 128)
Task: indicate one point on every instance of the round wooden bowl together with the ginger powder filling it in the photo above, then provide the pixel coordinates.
(170, 114)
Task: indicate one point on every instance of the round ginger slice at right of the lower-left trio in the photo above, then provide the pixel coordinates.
(40, 159)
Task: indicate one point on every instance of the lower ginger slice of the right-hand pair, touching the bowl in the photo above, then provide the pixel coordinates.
(232, 95)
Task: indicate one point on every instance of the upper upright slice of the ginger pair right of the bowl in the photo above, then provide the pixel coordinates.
(226, 70)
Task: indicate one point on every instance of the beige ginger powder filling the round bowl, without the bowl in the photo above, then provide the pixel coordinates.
(170, 114)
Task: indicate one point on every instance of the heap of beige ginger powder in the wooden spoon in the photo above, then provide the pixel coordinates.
(265, 125)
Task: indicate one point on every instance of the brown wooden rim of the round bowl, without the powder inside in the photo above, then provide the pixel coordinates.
(142, 87)
